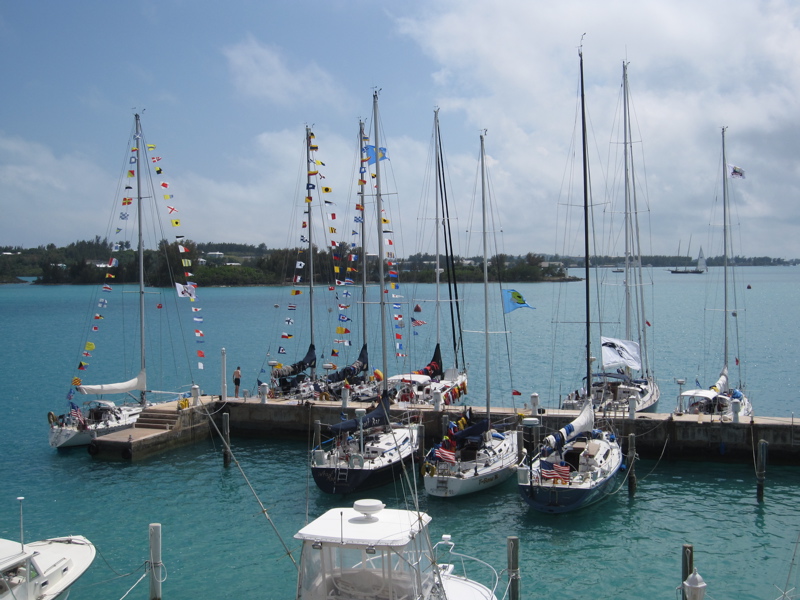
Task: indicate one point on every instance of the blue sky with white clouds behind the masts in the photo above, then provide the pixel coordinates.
(226, 91)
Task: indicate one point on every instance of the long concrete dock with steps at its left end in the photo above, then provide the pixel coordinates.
(667, 436)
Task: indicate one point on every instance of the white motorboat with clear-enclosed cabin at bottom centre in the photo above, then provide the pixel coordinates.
(369, 552)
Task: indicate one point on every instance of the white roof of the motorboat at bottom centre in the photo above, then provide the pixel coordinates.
(367, 523)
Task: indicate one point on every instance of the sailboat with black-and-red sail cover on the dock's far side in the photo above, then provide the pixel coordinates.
(435, 383)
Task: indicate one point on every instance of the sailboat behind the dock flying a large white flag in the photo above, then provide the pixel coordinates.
(626, 377)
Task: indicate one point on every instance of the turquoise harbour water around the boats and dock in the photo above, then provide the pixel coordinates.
(217, 544)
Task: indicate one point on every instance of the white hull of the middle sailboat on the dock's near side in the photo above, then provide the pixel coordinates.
(492, 465)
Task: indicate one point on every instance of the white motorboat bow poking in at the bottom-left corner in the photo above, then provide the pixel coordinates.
(42, 570)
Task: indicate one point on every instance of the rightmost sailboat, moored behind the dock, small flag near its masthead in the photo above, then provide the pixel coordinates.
(722, 398)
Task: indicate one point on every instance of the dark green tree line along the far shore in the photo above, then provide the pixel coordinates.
(231, 264)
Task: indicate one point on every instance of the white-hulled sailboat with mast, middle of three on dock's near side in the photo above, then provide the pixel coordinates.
(478, 457)
